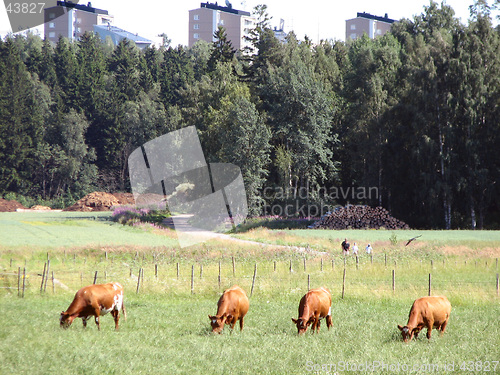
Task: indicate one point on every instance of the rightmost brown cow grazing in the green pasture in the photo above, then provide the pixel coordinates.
(426, 312)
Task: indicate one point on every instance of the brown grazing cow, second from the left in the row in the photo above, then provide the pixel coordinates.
(232, 306)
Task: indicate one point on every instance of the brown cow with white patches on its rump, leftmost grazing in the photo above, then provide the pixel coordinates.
(95, 300)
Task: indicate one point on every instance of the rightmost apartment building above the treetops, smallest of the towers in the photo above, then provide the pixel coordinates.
(367, 23)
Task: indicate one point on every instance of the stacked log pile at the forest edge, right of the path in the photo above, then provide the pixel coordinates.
(359, 217)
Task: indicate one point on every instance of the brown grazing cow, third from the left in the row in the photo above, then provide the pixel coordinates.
(314, 306)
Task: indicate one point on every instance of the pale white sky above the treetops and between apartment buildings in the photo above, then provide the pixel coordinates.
(316, 19)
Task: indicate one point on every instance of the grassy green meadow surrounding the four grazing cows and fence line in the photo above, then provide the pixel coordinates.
(167, 330)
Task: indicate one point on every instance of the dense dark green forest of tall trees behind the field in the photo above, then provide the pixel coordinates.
(413, 117)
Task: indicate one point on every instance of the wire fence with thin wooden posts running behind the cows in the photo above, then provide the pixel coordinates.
(379, 275)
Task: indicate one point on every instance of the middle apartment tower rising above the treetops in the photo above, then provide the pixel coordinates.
(205, 20)
